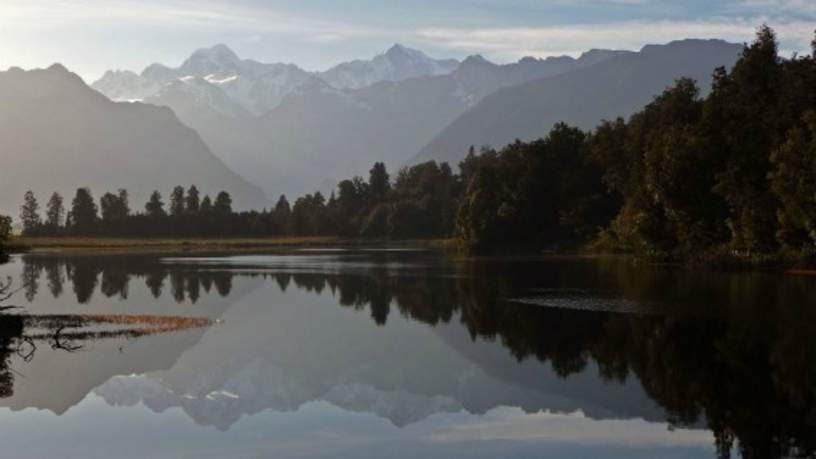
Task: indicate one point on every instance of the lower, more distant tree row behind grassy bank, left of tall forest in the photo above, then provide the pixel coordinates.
(421, 202)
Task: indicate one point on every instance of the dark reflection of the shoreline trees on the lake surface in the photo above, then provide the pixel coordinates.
(731, 351)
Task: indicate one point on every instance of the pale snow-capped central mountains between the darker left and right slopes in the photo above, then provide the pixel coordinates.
(291, 131)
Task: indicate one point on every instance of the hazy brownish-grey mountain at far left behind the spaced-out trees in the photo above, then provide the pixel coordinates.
(57, 134)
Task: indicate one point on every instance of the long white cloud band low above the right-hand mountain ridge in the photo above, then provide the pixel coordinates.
(572, 39)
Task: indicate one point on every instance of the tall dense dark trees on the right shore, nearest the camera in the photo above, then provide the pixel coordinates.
(731, 173)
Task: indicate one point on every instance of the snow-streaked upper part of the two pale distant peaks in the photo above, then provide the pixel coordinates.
(258, 87)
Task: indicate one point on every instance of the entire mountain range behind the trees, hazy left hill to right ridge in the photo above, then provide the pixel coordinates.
(262, 129)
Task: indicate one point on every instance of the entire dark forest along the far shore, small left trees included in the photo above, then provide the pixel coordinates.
(688, 177)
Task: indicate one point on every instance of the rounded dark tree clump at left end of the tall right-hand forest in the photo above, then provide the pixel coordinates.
(542, 194)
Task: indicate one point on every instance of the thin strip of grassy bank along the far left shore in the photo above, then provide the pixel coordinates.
(62, 244)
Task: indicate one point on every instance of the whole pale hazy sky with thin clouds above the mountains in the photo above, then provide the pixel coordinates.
(91, 36)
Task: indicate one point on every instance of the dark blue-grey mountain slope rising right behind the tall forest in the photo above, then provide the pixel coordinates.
(610, 87)
